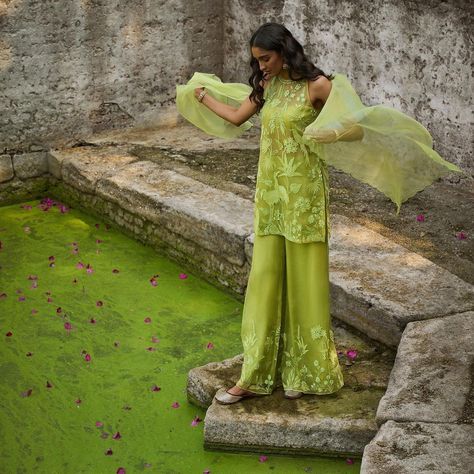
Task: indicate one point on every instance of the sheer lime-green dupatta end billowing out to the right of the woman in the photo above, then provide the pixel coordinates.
(377, 145)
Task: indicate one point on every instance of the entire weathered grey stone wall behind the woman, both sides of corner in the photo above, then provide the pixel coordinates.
(72, 67)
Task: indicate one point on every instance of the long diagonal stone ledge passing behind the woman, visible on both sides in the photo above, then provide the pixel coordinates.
(377, 286)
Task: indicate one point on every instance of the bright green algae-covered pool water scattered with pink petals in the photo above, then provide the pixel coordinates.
(98, 333)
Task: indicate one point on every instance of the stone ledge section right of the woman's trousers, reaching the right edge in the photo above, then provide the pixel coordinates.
(379, 286)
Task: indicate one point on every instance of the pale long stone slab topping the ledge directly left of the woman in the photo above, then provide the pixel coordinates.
(216, 220)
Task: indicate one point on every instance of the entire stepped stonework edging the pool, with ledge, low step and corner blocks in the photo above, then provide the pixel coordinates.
(411, 321)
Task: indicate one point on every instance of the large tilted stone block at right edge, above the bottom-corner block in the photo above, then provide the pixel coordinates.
(432, 377)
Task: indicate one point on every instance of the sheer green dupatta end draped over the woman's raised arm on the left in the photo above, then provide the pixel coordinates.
(199, 115)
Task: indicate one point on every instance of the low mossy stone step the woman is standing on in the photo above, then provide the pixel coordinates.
(339, 424)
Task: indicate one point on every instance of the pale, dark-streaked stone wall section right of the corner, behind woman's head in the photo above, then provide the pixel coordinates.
(413, 55)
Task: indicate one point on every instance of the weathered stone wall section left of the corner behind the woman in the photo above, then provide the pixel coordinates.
(71, 67)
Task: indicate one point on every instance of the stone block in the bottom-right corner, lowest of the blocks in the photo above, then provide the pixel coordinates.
(418, 447)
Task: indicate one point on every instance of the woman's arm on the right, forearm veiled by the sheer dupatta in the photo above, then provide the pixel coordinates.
(349, 131)
